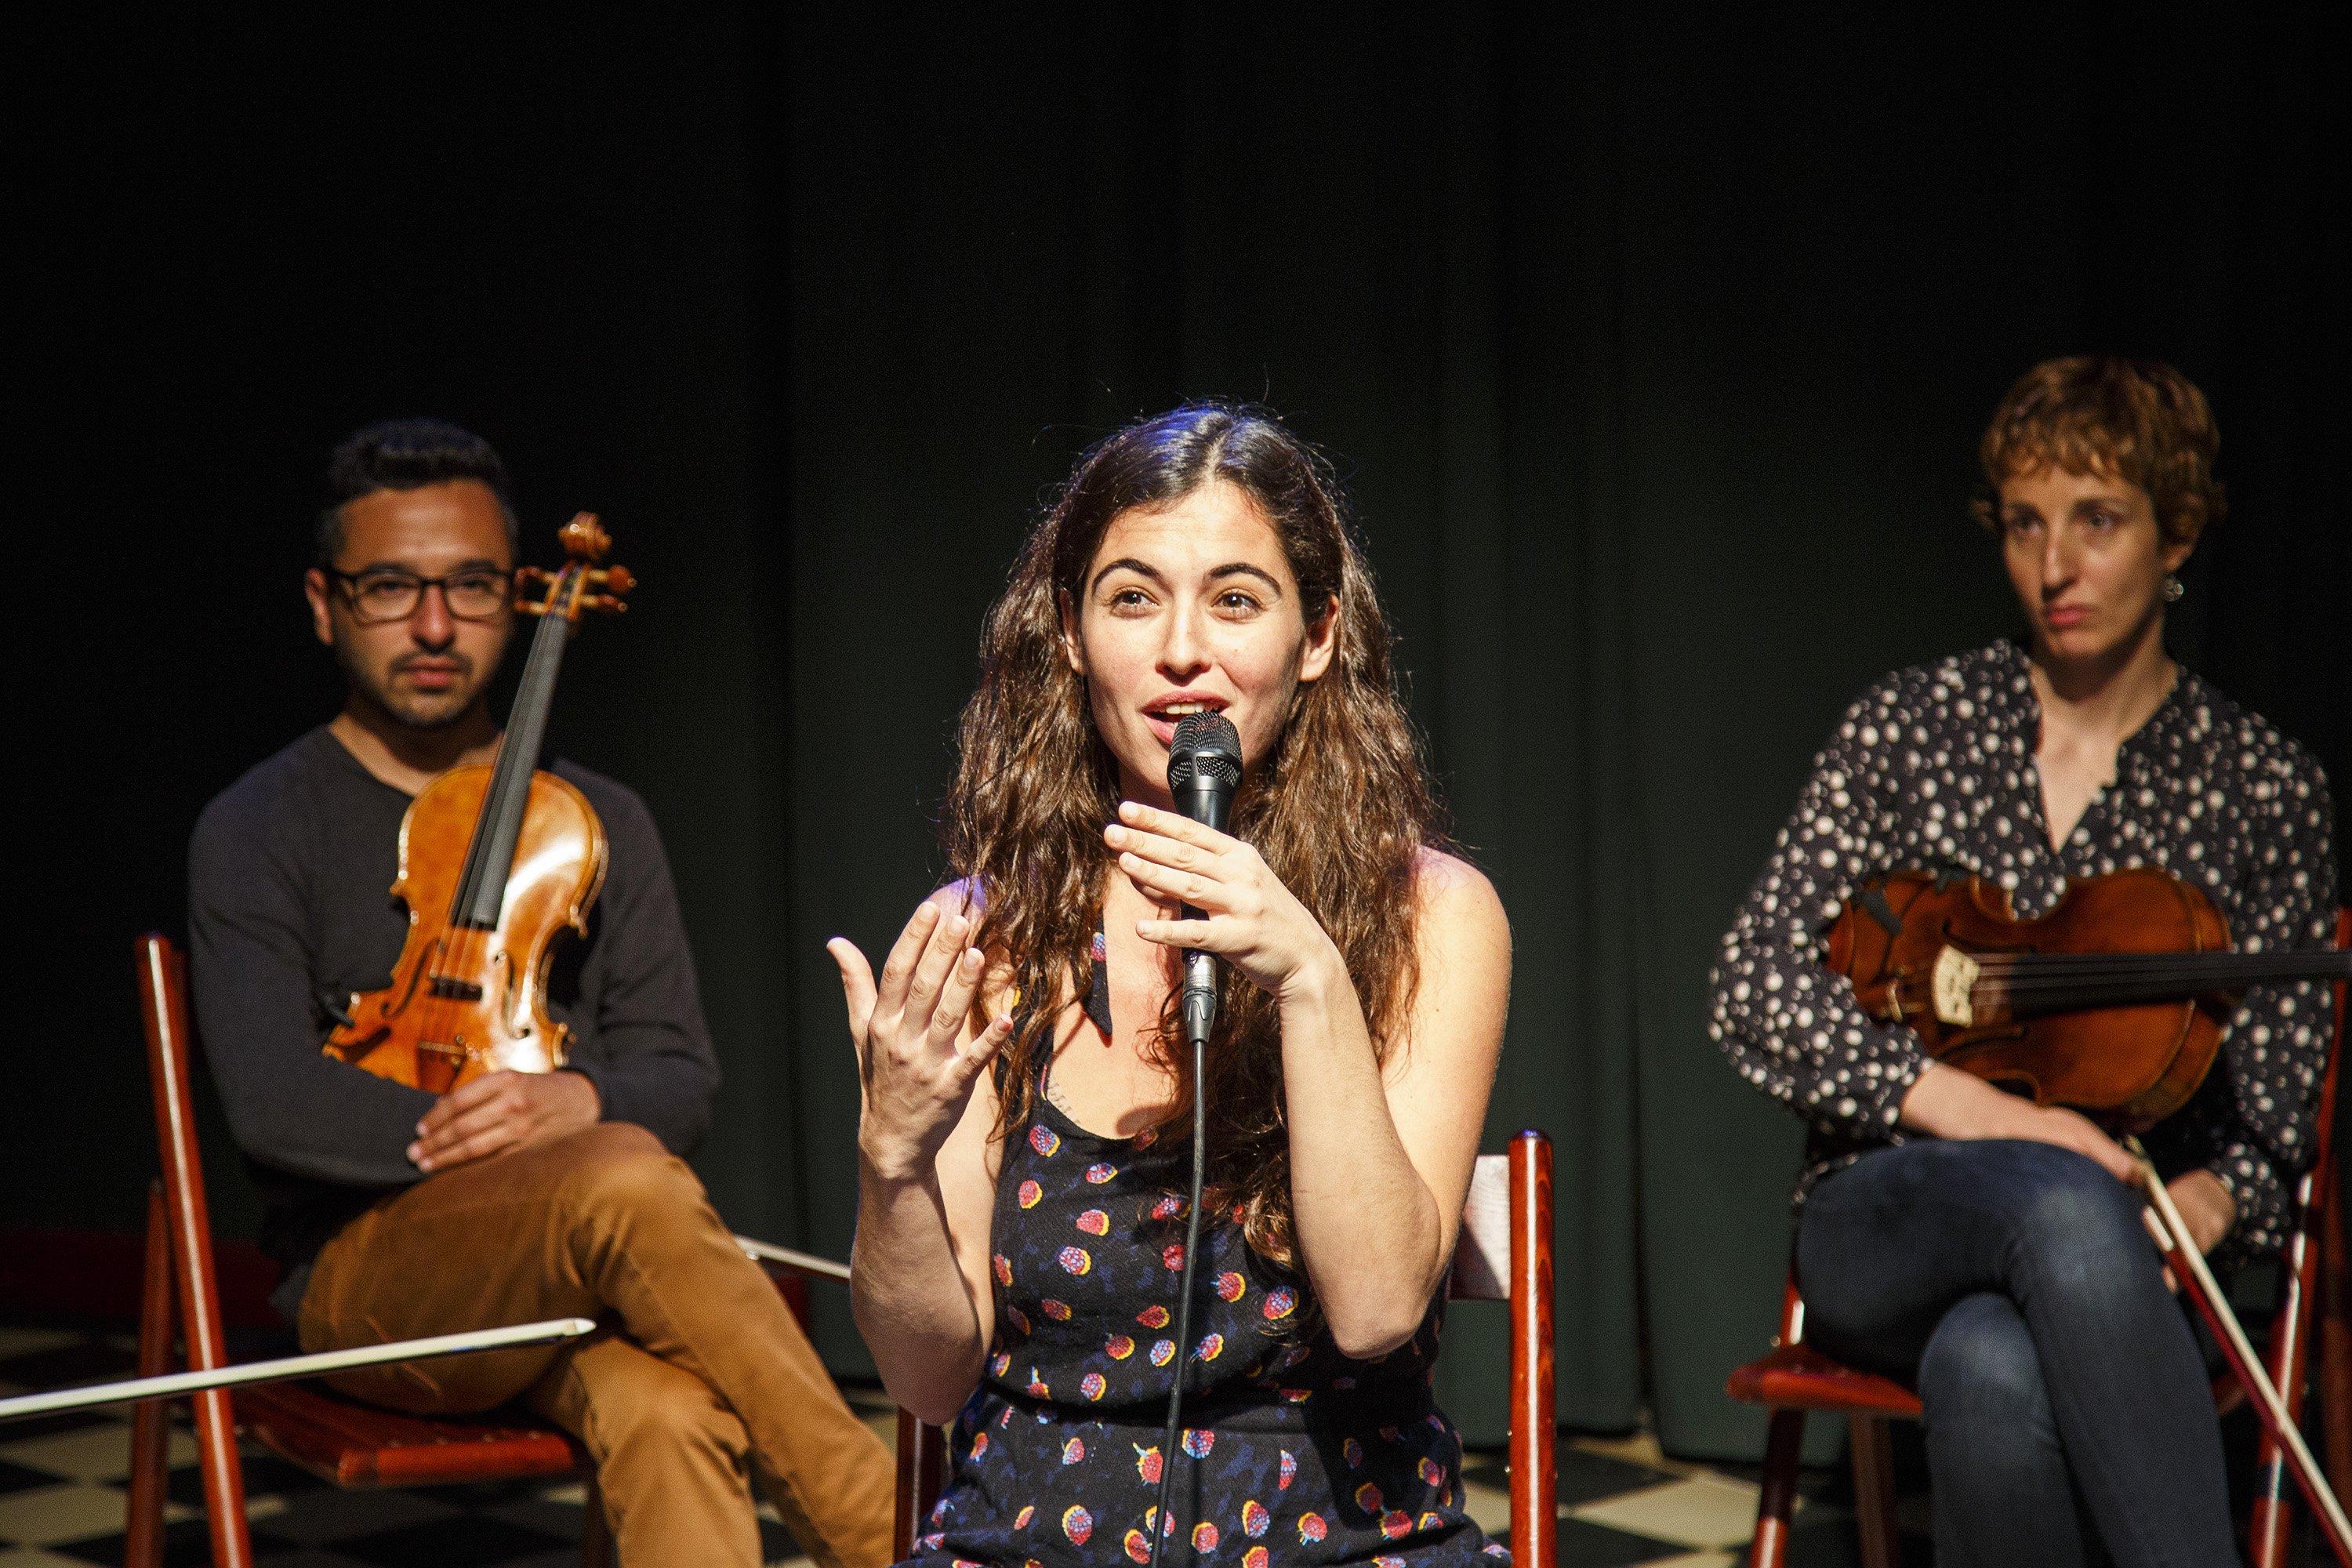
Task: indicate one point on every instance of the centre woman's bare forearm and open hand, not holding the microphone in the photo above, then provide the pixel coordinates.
(918, 1275)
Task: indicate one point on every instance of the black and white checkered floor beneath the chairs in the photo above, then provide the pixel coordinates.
(62, 1499)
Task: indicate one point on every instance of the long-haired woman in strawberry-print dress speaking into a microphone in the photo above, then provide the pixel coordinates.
(1024, 1144)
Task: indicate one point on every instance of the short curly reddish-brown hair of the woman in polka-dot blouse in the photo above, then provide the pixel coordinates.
(2132, 420)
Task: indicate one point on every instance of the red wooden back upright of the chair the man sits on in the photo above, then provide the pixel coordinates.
(163, 1014)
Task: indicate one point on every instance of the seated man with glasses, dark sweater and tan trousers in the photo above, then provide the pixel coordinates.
(514, 1198)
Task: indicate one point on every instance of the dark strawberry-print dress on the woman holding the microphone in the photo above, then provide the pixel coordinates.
(1290, 1452)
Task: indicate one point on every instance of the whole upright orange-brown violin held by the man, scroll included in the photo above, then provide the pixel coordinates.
(495, 862)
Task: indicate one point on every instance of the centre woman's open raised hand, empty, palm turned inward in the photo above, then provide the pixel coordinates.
(914, 1071)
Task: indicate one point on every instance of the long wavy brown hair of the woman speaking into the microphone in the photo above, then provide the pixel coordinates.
(1339, 810)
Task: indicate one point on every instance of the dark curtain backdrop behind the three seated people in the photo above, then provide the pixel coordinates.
(1655, 351)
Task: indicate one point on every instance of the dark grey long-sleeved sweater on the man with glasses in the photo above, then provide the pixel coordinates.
(288, 913)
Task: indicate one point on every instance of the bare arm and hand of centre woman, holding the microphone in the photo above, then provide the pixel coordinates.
(1379, 1160)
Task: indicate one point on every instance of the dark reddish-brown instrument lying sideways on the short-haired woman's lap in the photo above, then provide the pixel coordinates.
(2113, 1003)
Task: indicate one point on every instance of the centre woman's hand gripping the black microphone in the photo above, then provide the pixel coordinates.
(1252, 920)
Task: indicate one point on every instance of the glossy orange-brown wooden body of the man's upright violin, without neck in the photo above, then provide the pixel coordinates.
(465, 1000)
